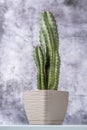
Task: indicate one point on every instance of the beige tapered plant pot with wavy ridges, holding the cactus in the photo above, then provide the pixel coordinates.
(45, 107)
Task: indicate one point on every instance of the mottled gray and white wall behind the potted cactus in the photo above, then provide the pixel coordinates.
(19, 33)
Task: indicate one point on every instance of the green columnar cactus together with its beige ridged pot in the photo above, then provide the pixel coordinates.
(47, 105)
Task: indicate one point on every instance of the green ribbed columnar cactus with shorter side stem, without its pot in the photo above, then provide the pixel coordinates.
(46, 55)
